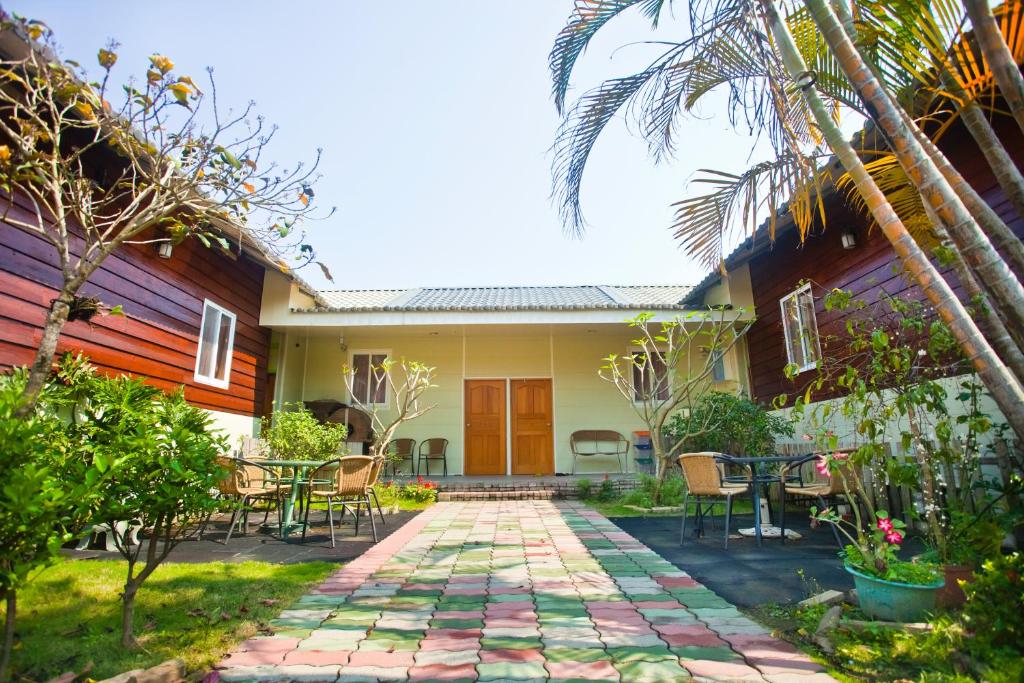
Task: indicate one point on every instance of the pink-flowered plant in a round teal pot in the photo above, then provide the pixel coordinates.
(888, 588)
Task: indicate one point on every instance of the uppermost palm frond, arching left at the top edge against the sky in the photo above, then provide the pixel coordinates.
(587, 19)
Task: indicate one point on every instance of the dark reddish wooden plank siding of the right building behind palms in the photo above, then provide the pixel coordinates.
(867, 271)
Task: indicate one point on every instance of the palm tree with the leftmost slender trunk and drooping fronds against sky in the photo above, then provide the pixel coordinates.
(731, 41)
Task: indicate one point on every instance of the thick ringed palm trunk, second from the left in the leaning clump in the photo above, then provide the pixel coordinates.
(1008, 294)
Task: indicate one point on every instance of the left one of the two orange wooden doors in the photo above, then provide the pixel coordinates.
(485, 428)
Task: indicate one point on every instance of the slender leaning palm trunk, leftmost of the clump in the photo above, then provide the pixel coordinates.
(1002, 383)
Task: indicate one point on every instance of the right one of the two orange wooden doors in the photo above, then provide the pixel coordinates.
(533, 446)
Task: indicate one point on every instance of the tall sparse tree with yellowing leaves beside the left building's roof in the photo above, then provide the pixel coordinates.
(90, 166)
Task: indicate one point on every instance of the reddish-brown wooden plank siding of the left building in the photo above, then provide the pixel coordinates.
(158, 337)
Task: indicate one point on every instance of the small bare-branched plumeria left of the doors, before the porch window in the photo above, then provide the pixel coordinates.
(403, 383)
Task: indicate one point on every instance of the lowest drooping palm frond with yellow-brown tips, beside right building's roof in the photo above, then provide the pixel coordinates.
(707, 224)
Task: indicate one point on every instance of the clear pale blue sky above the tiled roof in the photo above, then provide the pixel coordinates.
(437, 124)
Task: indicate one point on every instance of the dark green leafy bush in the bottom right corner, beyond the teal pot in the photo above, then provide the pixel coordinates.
(994, 604)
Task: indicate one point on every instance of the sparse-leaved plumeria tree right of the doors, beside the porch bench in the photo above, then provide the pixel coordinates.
(671, 370)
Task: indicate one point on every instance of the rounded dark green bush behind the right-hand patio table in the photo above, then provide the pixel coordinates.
(728, 423)
